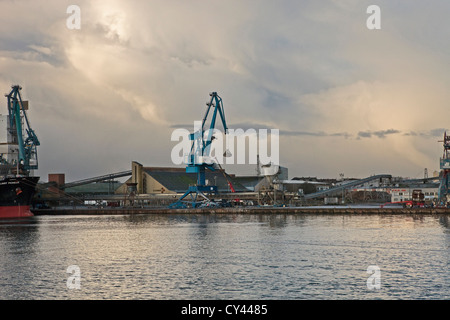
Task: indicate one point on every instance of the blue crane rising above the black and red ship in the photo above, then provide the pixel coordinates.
(27, 157)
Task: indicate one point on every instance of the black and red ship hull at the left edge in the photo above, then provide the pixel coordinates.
(16, 195)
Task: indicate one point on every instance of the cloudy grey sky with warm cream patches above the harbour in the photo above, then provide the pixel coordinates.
(346, 99)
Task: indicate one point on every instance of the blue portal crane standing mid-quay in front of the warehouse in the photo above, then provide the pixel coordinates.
(199, 158)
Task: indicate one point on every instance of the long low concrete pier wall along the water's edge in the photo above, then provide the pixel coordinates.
(242, 210)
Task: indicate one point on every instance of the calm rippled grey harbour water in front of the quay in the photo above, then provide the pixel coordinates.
(226, 257)
